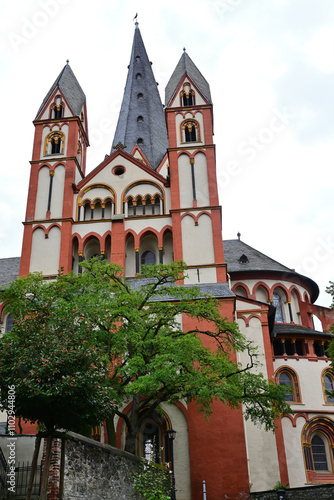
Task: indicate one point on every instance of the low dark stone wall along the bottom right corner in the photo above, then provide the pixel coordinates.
(315, 492)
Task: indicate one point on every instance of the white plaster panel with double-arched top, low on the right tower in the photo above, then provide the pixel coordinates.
(197, 241)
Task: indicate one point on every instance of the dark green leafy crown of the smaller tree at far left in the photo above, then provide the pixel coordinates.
(49, 356)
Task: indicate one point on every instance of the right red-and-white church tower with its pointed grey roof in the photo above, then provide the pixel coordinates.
(194, 194)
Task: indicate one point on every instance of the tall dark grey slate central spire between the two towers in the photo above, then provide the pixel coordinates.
(142, 115)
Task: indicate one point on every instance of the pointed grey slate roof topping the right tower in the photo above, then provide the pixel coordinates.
(186, 66)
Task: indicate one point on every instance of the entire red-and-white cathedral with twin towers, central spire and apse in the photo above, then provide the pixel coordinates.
(154, 199)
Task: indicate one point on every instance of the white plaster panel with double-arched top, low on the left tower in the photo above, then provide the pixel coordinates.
(45, 252)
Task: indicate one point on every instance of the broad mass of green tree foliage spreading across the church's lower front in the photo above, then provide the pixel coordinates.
(145, 341)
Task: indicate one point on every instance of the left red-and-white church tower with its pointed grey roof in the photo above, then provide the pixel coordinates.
(58, 163)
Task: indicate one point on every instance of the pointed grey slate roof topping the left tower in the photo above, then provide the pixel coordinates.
(70, 88)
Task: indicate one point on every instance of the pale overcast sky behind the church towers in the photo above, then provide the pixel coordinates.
(270, 65)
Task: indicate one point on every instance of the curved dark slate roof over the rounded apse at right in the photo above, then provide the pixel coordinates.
(243, 258)
